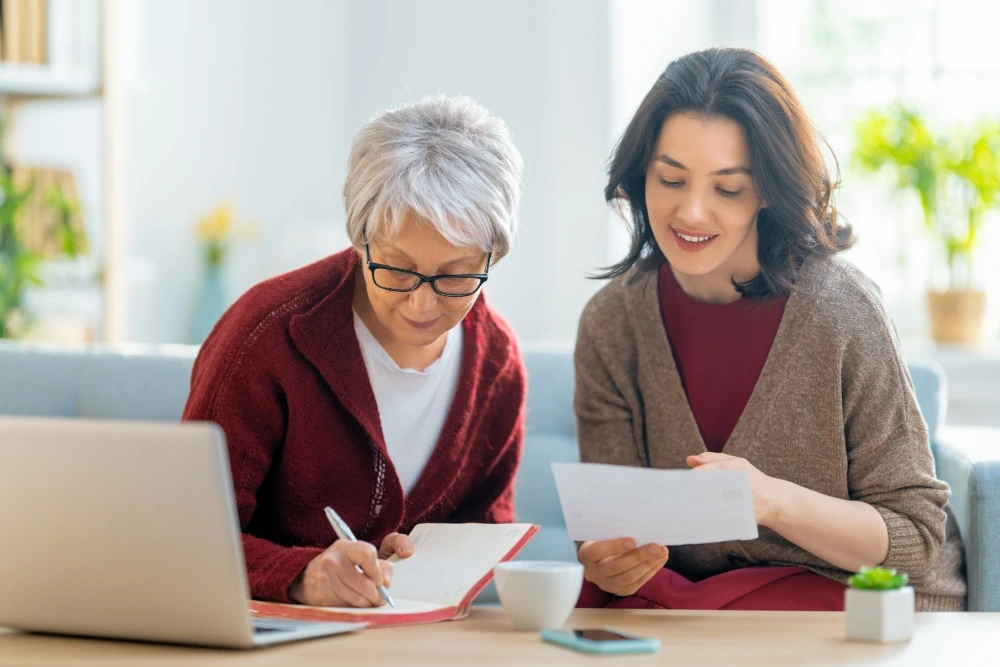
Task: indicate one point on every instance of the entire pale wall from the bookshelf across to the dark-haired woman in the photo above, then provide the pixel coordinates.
(257, 102)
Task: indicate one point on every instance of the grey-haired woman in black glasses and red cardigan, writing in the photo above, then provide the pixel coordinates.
(377, 380)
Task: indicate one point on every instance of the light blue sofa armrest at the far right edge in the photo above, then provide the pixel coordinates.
(968, 459)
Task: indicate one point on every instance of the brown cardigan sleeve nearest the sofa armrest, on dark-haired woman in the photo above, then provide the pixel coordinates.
(890, 465)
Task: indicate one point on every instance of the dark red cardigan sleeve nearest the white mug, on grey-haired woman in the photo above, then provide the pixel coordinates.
(494, 502)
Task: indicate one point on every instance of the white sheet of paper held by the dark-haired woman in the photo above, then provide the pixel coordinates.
(670, 507)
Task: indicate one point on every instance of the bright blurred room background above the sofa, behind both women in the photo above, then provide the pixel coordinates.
(162, 156)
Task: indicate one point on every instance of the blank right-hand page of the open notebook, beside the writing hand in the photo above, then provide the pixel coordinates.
(449, 559)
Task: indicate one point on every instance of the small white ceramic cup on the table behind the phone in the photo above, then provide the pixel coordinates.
(538, 594)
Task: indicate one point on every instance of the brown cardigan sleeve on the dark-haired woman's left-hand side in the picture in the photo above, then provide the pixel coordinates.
(604, 412)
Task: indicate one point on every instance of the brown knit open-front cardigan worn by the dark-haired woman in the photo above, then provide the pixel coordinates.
(833, 411)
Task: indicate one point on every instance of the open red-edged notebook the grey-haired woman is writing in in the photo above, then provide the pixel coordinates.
(450, 565)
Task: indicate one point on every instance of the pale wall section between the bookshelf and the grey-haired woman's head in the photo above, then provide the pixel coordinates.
(228, 100)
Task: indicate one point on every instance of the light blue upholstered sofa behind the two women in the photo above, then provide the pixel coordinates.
(151, 383)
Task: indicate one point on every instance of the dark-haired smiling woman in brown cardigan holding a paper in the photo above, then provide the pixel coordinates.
(733, 338)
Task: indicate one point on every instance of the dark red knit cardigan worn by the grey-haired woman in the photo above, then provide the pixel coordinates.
(282, 374)
